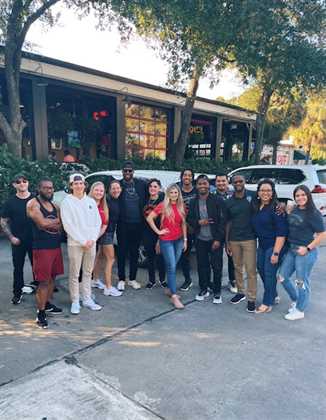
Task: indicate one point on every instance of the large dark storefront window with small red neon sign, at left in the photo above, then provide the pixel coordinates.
(80, 122)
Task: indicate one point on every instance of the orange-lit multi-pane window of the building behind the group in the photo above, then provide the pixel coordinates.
(146, 131)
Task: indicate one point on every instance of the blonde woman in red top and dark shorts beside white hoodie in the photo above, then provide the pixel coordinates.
(97, 192)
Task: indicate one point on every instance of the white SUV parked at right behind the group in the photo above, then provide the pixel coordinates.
(286, 178)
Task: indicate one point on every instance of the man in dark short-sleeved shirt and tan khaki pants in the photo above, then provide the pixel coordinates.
(241, 241)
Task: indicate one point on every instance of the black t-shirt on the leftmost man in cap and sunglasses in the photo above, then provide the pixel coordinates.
(15, 210)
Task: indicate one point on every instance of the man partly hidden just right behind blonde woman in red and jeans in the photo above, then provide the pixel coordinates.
(188, 192)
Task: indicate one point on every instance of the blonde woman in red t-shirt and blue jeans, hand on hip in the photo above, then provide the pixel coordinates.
(173, 235)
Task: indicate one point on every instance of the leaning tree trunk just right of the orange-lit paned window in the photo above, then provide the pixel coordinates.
(179, 147)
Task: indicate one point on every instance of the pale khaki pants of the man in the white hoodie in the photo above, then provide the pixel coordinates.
(80, 258)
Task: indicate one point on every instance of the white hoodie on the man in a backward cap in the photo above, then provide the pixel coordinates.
(81, 219)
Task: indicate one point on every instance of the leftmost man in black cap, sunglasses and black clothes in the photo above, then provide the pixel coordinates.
(18, 228)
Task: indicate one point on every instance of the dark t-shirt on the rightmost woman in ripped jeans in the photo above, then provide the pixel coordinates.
(303, 225)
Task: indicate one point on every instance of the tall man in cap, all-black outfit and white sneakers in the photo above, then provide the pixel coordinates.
(130, 225)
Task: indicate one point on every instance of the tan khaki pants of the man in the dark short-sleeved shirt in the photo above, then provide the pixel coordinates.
(244, 254)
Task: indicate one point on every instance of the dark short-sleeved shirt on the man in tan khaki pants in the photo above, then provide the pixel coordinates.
(238, 212)
